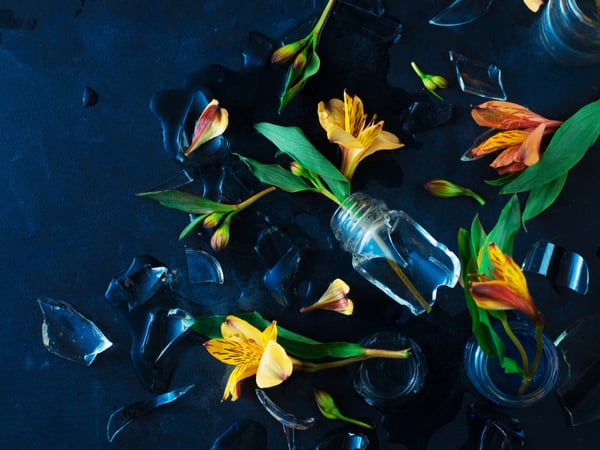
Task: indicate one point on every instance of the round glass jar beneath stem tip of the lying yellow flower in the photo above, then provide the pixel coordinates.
(384, 382)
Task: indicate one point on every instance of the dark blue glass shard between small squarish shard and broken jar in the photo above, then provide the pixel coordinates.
(280, 279)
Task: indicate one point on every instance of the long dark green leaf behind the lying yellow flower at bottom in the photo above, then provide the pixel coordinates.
(295, 344)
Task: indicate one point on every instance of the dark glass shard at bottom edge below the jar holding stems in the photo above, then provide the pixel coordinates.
(491, 430)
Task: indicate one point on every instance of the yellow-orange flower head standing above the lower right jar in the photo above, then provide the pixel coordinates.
(506, 289)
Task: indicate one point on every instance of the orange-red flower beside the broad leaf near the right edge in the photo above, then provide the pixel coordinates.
(520, 139)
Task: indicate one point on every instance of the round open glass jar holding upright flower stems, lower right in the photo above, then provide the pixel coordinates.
(490, 380)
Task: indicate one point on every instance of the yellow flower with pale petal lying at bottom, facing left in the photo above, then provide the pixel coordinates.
(252, 352)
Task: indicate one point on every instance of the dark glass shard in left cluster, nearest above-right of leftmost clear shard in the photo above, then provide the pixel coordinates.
(144, 278)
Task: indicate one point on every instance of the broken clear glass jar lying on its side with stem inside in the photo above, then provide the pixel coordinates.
(394, 252)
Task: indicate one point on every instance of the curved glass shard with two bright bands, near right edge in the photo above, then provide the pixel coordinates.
(562, 267)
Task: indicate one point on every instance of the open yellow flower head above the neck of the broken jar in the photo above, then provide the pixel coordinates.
(346, 125)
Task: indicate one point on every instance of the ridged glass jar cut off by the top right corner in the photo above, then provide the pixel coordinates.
(570, 31)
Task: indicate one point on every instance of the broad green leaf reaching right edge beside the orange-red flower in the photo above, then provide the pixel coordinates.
(567, 147)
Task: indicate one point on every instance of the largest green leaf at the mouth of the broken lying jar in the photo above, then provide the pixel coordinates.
(292, 142)
